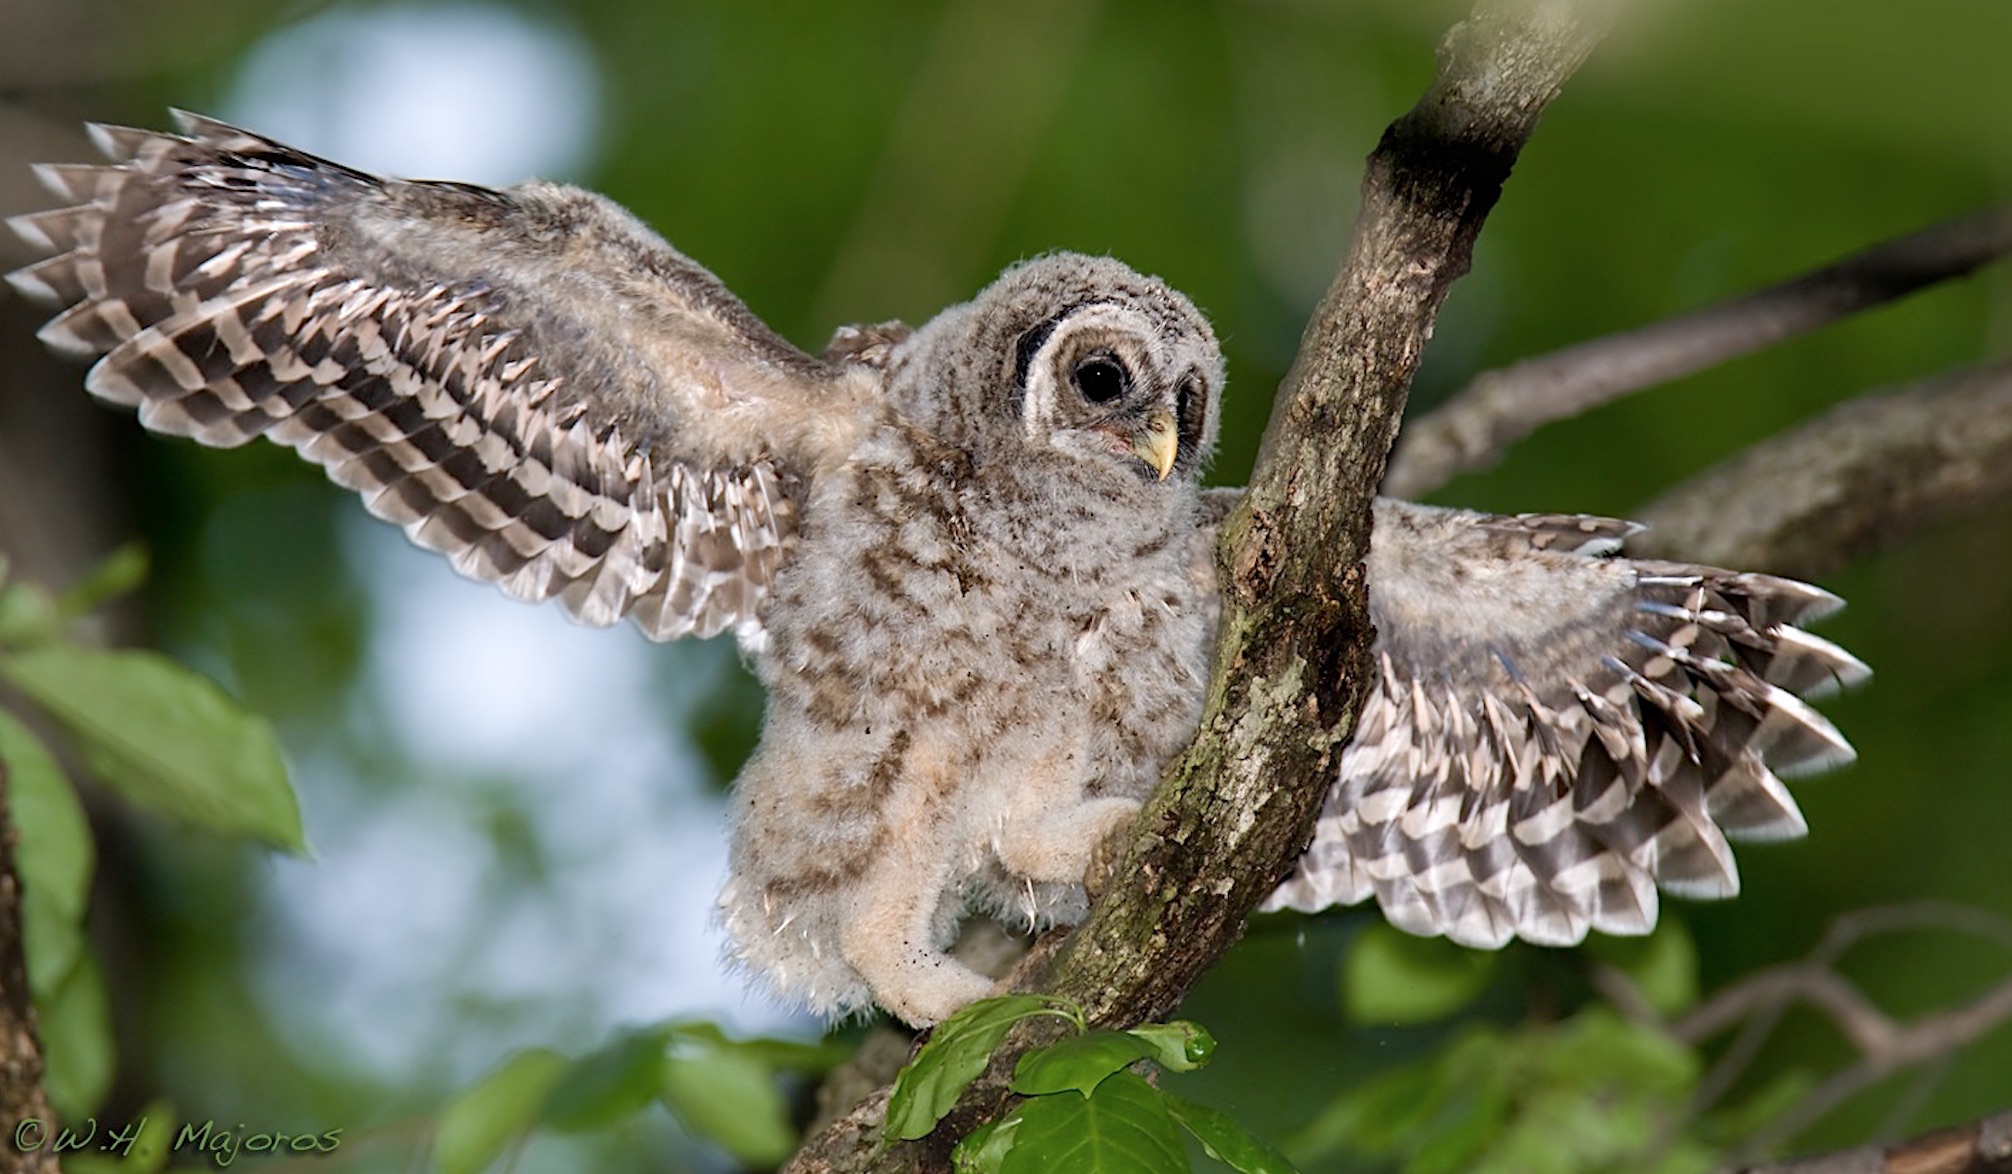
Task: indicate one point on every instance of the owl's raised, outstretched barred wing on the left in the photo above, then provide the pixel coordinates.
(526, 382)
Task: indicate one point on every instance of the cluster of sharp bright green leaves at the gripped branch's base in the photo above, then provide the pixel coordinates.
(1085, 1107)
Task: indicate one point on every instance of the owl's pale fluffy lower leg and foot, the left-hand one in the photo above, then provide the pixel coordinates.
(902, 915)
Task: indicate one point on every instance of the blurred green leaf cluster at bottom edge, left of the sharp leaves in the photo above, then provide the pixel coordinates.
(721, 1090)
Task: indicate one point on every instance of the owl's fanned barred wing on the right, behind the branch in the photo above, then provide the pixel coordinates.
(1556, 736)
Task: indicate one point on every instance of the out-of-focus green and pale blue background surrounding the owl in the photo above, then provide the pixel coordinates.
(482, 885)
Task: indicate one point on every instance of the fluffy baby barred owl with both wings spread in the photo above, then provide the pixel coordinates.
(969, 561)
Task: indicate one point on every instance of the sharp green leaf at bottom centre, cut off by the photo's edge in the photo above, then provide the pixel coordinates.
(1124, 1127)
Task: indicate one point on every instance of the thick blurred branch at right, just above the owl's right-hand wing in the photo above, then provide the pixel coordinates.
(1860, 476)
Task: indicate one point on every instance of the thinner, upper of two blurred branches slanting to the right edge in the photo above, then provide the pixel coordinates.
(1500, 408)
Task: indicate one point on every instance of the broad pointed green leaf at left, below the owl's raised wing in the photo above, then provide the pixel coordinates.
(166, 738)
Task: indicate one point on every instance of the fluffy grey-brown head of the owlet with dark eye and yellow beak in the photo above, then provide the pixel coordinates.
(1081, 361)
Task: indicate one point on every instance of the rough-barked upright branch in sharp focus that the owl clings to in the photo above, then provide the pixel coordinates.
(1293, 657)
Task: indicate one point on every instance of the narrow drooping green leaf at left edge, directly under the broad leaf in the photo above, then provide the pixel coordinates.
(53, 857)
